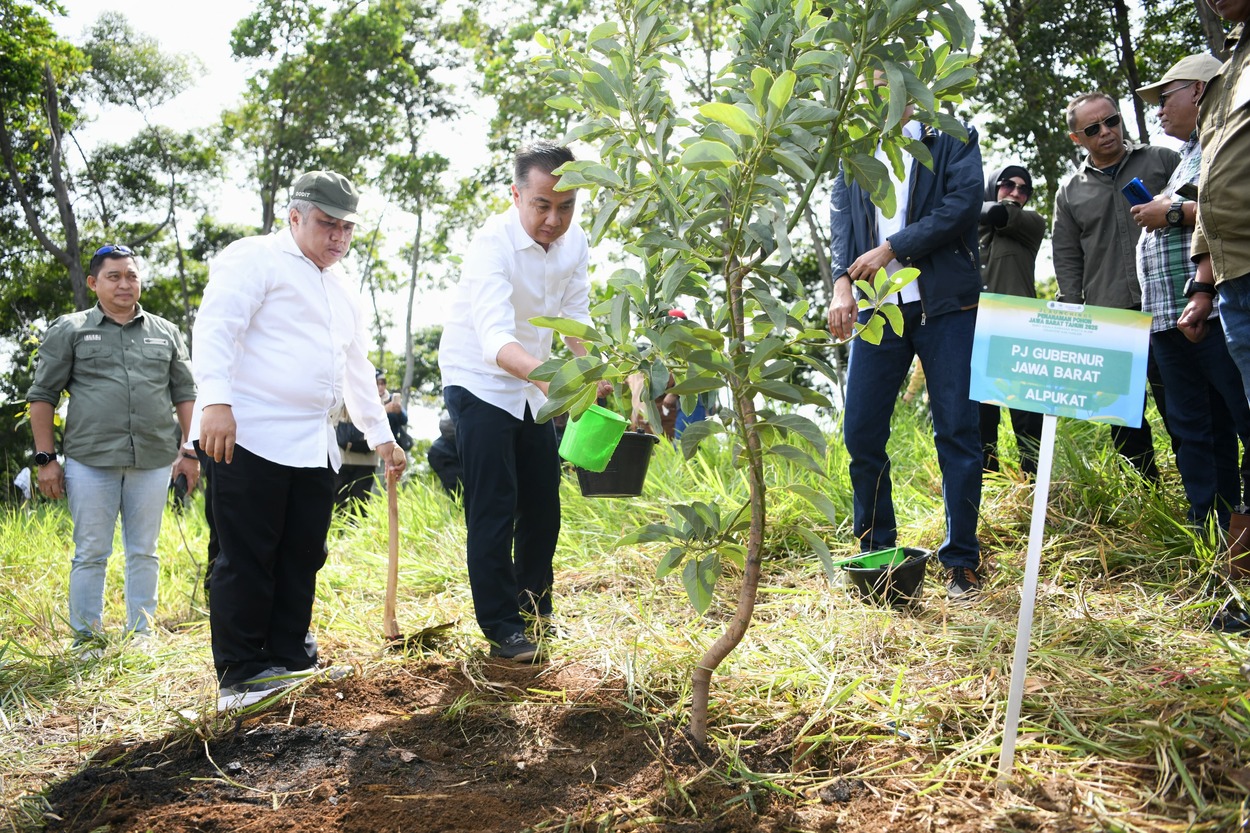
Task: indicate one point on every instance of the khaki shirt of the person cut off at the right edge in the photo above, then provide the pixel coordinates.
(1224, 186)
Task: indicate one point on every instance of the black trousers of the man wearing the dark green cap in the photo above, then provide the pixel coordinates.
(272, 522)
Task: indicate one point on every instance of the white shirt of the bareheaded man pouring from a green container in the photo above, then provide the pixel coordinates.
(506, 281)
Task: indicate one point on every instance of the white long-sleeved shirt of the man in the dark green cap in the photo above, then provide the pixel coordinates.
(284, 343)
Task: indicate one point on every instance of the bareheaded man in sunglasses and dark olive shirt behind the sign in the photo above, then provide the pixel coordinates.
(1096, 235)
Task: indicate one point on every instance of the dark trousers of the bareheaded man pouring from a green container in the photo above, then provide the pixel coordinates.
(512, 495)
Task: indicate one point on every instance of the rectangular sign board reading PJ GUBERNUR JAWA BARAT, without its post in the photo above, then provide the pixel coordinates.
(1062, 360)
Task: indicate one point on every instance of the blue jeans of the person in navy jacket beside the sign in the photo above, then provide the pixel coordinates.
(874, 377)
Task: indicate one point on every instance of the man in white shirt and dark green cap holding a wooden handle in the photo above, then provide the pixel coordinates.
(281, 347)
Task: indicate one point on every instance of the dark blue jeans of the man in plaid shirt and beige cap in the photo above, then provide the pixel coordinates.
(1207, 411)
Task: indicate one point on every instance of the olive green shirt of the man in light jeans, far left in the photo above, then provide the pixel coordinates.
(123, 381)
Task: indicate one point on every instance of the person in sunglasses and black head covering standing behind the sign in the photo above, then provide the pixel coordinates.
(1011, 237)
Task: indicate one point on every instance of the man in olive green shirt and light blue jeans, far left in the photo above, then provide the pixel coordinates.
(127, 372)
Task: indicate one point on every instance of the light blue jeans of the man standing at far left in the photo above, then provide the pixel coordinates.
(97, 496)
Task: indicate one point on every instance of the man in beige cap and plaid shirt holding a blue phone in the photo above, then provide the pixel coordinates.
(1207, 405)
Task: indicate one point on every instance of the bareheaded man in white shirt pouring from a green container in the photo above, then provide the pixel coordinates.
(528, 262)
